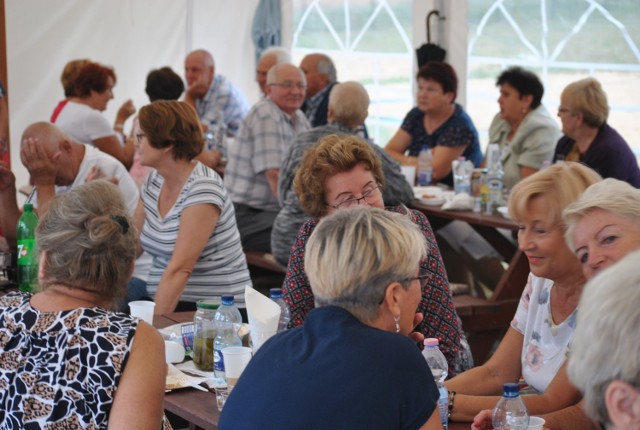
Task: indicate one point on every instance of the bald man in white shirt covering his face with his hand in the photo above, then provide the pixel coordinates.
(57, 163)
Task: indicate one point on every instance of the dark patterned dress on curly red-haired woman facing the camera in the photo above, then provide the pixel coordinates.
(440, 318)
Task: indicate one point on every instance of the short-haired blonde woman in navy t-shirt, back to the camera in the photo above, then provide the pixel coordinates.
(351, 365)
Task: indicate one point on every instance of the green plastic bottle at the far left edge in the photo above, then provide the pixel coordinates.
(27, 250)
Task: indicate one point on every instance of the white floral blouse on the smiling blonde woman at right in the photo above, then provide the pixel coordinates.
(546, 345)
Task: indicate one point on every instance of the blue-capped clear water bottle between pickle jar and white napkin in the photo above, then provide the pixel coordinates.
(228, 322)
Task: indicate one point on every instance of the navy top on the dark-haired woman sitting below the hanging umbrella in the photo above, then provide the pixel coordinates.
(458, 130)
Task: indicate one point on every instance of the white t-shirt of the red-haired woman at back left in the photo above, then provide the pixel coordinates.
(83, 124)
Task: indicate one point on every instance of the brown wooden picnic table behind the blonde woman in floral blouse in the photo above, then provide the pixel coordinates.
(485, 320)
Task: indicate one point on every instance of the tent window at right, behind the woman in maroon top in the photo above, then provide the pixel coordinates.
(562, 42)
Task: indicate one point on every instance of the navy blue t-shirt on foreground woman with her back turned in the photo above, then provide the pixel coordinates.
(333, 372)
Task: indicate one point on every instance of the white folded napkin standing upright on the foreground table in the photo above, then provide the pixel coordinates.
(264, 315)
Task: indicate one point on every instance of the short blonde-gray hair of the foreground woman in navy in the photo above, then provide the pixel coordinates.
(354, 254)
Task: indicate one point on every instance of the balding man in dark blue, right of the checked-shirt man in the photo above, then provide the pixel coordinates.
(321, 76)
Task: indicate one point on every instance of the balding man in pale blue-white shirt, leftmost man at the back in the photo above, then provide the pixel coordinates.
(211, 94)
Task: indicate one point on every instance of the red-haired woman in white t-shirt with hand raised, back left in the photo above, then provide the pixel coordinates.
(80, 117)
